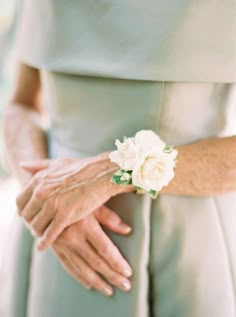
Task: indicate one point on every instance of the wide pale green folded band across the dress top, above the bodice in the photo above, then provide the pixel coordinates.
(167, 40)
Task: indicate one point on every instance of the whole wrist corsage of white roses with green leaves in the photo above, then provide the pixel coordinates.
(145, 162)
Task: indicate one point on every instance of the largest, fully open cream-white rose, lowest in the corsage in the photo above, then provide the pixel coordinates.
(154, 171)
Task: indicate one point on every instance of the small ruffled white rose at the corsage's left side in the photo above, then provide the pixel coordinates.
(126, 155)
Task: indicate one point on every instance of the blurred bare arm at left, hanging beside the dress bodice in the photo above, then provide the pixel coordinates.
(23, 133)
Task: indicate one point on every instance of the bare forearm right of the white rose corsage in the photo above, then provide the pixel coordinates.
(205, 167)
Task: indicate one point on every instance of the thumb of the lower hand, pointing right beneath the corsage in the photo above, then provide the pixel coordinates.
(111, 220)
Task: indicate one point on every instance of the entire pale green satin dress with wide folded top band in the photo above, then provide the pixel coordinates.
(100, 83)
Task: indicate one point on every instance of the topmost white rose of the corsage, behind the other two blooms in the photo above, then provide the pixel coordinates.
(147, 141)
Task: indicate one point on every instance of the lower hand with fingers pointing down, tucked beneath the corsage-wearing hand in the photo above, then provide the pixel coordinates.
(88, 254)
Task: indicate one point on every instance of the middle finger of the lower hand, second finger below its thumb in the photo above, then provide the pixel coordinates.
(98, 264)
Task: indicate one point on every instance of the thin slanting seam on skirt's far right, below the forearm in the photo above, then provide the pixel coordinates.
(226, 245)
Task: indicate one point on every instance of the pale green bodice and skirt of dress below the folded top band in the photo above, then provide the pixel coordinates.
(182, 248)
